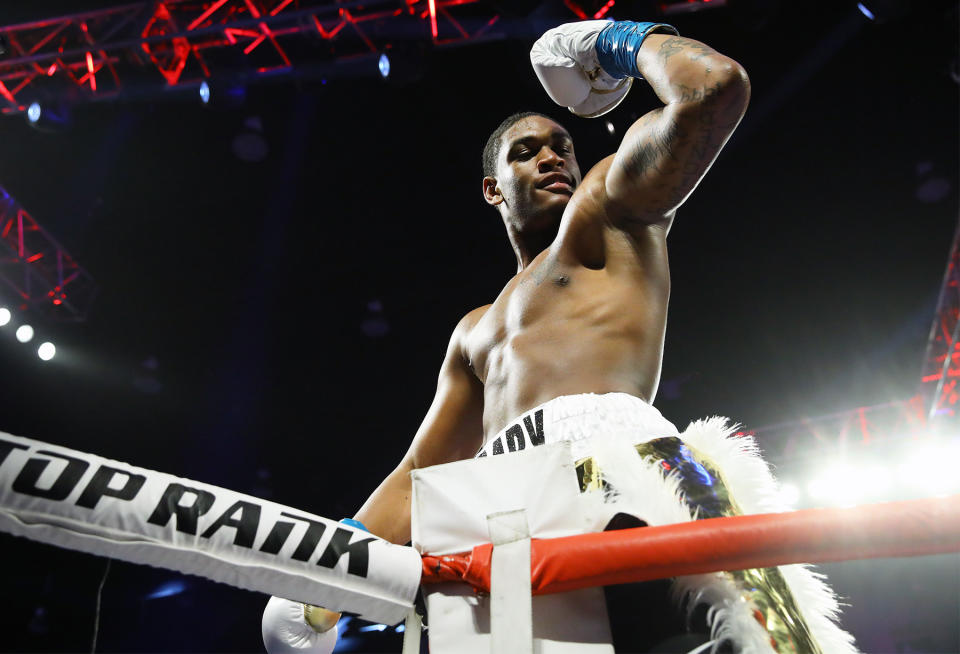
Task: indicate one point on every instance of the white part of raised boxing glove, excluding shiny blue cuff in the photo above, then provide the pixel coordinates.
(566, 63)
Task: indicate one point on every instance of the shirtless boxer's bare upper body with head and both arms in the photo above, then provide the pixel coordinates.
(586, 311)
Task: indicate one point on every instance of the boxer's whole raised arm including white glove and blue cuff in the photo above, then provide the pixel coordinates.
(664, 154)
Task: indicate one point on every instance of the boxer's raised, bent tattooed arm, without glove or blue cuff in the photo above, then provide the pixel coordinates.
(666, 153)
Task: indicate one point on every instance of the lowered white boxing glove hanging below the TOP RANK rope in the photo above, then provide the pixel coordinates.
(285, 628)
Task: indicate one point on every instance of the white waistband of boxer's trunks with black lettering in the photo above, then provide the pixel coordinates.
(579, 419)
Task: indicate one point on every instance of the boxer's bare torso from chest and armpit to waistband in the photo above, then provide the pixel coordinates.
(587, 315)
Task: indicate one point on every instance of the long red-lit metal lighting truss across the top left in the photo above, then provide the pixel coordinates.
(96, 55)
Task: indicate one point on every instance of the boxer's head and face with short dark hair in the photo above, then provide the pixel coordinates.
(537, 172)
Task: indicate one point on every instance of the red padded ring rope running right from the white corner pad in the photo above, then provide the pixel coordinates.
(909, 528)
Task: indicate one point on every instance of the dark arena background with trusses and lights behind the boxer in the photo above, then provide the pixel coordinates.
(260, 220)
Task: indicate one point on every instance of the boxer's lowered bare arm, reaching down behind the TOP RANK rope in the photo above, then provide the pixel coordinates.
(452, 430)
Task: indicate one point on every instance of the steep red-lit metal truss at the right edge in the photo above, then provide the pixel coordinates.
(941, 370)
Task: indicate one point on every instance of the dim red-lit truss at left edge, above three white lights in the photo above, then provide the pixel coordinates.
(42, 275)
